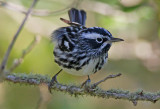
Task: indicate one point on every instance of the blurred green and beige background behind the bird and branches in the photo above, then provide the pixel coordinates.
(137, 58)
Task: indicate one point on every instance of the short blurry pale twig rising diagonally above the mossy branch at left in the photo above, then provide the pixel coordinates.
(18, 61)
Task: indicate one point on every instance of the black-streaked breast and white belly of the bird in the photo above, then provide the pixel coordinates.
(79, 64)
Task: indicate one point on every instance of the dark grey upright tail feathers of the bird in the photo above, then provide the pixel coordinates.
(78, 16)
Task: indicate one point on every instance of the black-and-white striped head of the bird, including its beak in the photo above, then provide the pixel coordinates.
(97, 40)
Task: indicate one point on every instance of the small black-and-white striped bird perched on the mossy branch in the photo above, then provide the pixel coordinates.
(80, 50)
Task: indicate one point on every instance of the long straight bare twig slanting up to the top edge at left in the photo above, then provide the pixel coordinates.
(3, 64)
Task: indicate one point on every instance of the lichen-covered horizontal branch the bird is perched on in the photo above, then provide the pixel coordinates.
(37, 79)
